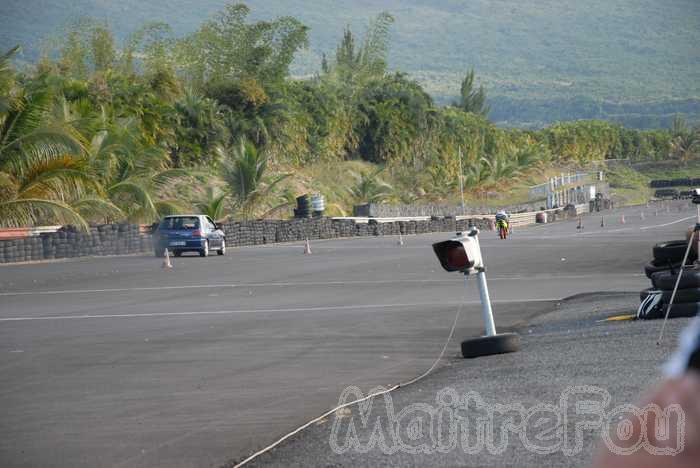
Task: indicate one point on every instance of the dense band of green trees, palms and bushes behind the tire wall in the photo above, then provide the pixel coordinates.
(100, 131)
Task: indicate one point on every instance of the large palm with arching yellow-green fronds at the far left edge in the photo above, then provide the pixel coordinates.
(42, 163)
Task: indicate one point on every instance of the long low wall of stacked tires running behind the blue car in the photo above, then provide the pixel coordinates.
(125, 239)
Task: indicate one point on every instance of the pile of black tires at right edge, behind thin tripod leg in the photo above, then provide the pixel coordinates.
(663, 272)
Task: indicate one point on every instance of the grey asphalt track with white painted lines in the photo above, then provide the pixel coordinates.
(117, 362)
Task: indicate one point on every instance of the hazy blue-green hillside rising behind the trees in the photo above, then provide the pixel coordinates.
(635, 61)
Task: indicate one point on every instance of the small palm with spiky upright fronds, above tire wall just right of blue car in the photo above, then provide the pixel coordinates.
(244, 173)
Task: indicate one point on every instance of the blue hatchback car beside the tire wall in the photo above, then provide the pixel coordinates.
(189, 233)
